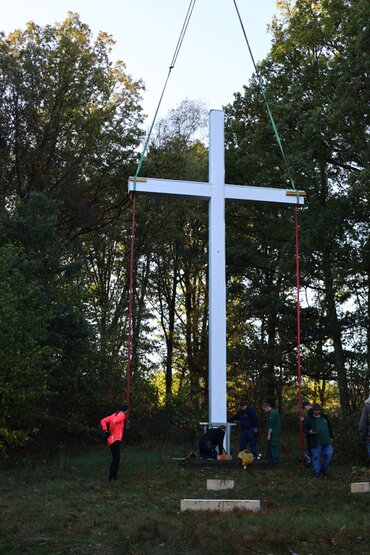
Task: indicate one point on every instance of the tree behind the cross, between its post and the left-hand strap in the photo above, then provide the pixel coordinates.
(176, 153)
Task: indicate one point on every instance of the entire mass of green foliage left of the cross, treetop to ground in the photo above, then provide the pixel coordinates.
(69, 129)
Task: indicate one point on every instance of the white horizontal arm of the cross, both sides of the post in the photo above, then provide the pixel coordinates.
(201, 190)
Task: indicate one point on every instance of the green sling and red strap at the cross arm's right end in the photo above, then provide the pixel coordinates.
(280, 144)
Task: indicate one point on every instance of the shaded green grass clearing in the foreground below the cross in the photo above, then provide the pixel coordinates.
(68, 506)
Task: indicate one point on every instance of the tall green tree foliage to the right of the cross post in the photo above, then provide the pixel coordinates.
(304, 79)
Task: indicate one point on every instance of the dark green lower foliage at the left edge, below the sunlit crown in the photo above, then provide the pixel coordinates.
(42, 335)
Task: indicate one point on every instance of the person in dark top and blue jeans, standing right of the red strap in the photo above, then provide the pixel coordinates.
(317, 429)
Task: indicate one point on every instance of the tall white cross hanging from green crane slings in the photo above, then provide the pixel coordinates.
(216, 191)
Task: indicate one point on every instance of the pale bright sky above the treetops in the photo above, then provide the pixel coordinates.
(213, 62)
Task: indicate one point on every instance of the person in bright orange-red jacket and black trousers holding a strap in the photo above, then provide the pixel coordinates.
(113, 427)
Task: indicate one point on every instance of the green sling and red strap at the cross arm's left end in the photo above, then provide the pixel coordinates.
(133, 199)
